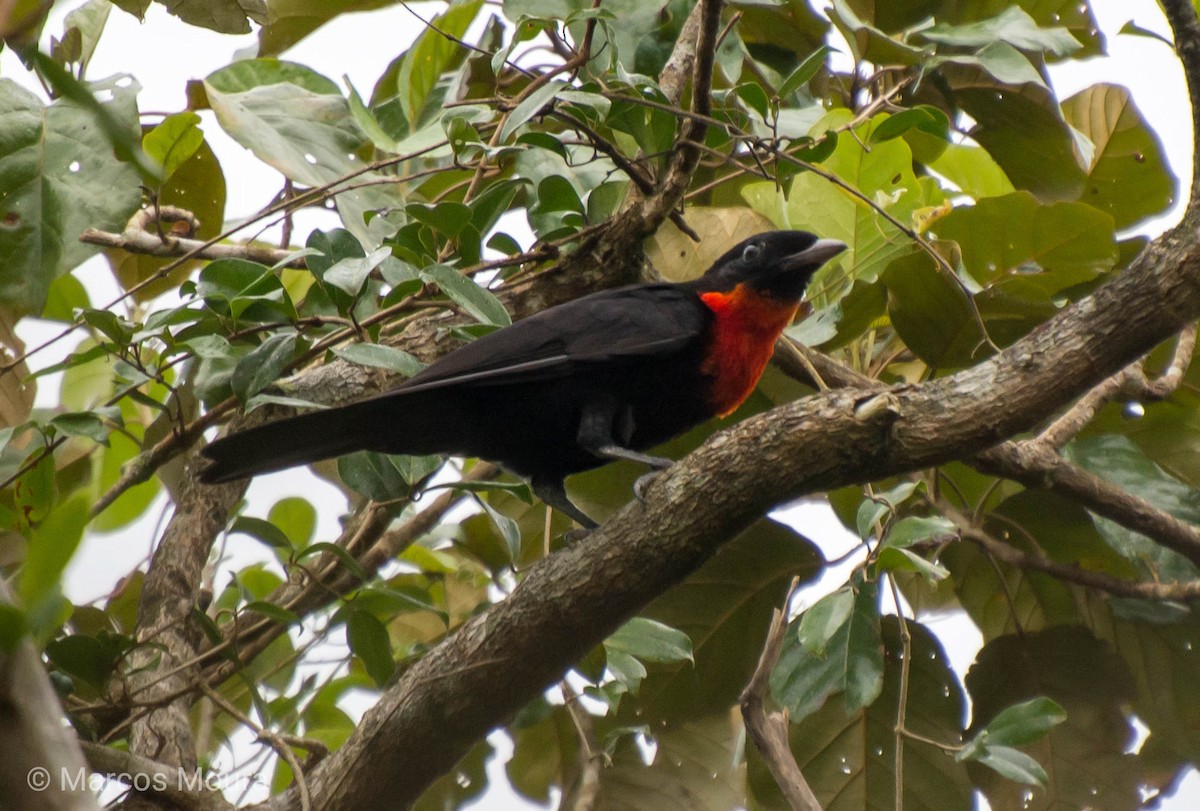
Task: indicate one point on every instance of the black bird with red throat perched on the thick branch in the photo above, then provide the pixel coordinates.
(572, 388)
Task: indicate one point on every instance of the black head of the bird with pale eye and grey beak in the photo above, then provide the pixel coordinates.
(778, 263)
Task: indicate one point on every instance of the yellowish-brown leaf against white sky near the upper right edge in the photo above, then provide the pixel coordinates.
(1129, 177)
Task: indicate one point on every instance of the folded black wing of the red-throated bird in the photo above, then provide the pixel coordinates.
(639, 321)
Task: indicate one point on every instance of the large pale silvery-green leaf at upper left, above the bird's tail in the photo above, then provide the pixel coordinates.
(298, 122)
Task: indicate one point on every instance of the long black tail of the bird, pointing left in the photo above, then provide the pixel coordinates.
(286, 443)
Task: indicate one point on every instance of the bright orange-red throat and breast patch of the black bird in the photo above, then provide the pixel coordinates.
(741, 343)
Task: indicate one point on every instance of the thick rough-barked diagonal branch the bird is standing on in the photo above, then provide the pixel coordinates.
(574, 599)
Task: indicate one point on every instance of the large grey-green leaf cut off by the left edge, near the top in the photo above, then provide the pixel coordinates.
(58, 178)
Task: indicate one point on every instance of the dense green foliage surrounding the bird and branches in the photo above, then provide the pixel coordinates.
(976, 205)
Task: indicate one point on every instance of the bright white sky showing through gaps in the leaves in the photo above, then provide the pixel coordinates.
(164, 53)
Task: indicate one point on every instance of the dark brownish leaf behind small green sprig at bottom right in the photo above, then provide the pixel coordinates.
(1085, 756)
